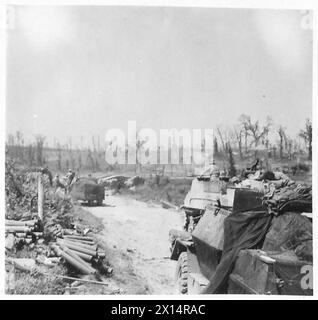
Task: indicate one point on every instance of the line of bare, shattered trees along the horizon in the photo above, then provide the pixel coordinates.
(247, 138)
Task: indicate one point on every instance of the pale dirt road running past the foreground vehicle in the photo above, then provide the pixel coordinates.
(136, 240)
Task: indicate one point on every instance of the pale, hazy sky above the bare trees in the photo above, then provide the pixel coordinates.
(79, 71)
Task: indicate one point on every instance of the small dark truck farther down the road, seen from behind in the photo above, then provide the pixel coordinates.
(87, 189)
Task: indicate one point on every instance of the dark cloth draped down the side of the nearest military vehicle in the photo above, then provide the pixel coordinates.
(242, 230)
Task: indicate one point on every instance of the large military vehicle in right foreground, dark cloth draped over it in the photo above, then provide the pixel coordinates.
(276, 259)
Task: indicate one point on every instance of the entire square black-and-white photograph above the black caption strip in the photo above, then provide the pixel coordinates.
(157, 149)
